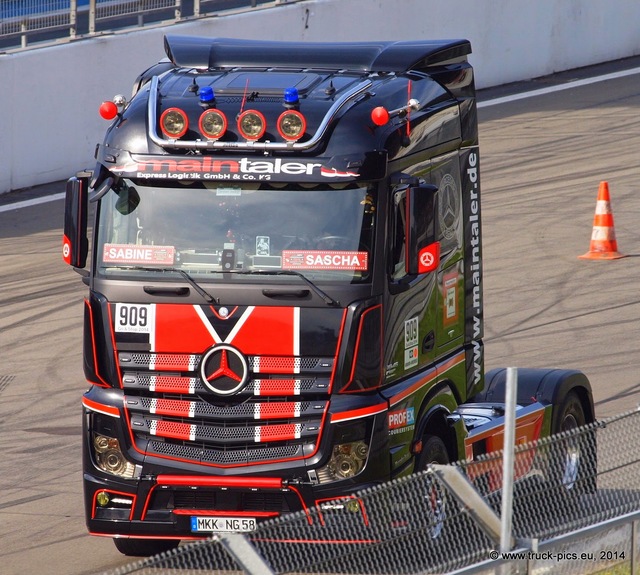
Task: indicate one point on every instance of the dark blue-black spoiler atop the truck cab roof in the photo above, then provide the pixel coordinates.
(215, 53)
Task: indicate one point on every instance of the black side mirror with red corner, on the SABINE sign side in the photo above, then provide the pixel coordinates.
(75, 245)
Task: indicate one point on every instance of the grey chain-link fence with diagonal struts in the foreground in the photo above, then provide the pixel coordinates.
(575, 506)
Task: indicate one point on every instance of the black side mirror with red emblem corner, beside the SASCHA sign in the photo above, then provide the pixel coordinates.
(422, 249)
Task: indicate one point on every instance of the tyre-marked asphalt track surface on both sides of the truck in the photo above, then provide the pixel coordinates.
(542, 159)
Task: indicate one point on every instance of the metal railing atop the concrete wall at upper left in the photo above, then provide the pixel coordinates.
(30, 23)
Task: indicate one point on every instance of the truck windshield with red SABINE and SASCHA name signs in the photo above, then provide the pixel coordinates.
(324, 232)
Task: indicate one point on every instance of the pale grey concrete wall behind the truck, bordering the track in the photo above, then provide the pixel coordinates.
(50, 96)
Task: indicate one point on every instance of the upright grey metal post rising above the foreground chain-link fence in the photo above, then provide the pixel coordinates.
(507, 458)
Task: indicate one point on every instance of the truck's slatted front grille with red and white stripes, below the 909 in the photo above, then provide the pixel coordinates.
(277, 416)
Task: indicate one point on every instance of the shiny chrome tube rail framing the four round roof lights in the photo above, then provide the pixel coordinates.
(152, 116)
